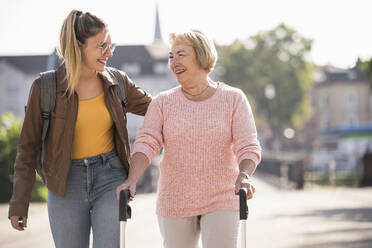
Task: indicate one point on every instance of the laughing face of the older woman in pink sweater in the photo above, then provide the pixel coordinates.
(183, 63)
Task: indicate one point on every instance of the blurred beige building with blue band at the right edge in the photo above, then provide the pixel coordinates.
(341, 125)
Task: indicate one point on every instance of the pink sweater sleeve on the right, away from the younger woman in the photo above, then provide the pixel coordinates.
(244, 133)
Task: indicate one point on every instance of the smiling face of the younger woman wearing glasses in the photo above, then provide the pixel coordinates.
(96, 51)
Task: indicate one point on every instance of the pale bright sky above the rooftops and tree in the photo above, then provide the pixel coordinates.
(340, 30)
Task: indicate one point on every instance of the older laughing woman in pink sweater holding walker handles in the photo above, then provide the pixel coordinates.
(210, 149)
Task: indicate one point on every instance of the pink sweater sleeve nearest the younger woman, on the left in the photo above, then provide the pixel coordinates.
(149, 139)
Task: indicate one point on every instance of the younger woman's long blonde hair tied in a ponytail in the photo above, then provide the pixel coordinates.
(76, 28)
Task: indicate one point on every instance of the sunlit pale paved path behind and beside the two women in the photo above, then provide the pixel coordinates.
(311, 218)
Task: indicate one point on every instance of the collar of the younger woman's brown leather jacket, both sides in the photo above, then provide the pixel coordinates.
(106, 76)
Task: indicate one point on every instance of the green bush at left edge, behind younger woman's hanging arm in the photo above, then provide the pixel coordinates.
(10, 129)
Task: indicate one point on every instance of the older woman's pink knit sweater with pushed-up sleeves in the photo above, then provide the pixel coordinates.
(203, 144)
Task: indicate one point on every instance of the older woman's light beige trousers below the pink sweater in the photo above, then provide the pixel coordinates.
(217, 229)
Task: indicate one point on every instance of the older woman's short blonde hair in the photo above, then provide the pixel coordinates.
(205, 51)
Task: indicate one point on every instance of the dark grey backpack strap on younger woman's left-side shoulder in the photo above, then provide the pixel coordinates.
(47, 99)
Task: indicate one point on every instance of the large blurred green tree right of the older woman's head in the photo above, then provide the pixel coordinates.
(276, 59)
